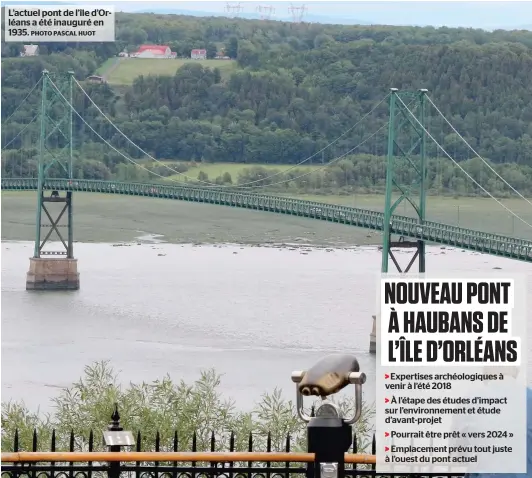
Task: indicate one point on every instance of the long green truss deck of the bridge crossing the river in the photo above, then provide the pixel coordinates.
(494, 244)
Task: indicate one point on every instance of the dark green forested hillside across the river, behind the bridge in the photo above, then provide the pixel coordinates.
(297, 88)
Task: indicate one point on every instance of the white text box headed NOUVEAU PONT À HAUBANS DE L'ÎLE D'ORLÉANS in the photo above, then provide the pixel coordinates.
(451, 412)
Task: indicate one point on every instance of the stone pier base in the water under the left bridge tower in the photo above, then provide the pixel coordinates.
(52, 274)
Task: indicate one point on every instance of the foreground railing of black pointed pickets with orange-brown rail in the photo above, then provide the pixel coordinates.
(176, 464)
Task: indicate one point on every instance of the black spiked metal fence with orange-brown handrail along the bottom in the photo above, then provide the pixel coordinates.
(17, 464)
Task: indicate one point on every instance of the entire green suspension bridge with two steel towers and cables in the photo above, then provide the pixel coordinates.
(49, 167)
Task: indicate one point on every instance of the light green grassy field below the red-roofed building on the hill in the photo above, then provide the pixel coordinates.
(130, 68)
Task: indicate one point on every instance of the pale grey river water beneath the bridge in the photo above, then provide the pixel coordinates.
(253, 313)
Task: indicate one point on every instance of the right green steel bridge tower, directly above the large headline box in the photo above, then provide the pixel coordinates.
(406, 179)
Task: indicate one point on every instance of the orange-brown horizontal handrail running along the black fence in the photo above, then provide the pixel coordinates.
(137, 456)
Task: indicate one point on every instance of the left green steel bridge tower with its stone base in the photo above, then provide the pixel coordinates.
(54, 269)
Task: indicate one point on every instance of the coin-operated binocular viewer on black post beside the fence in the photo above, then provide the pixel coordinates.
(329, 434)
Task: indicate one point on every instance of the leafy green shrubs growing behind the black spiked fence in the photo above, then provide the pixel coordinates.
(167, 407)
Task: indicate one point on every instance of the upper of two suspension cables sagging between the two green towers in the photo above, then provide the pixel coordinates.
(250, 182)
